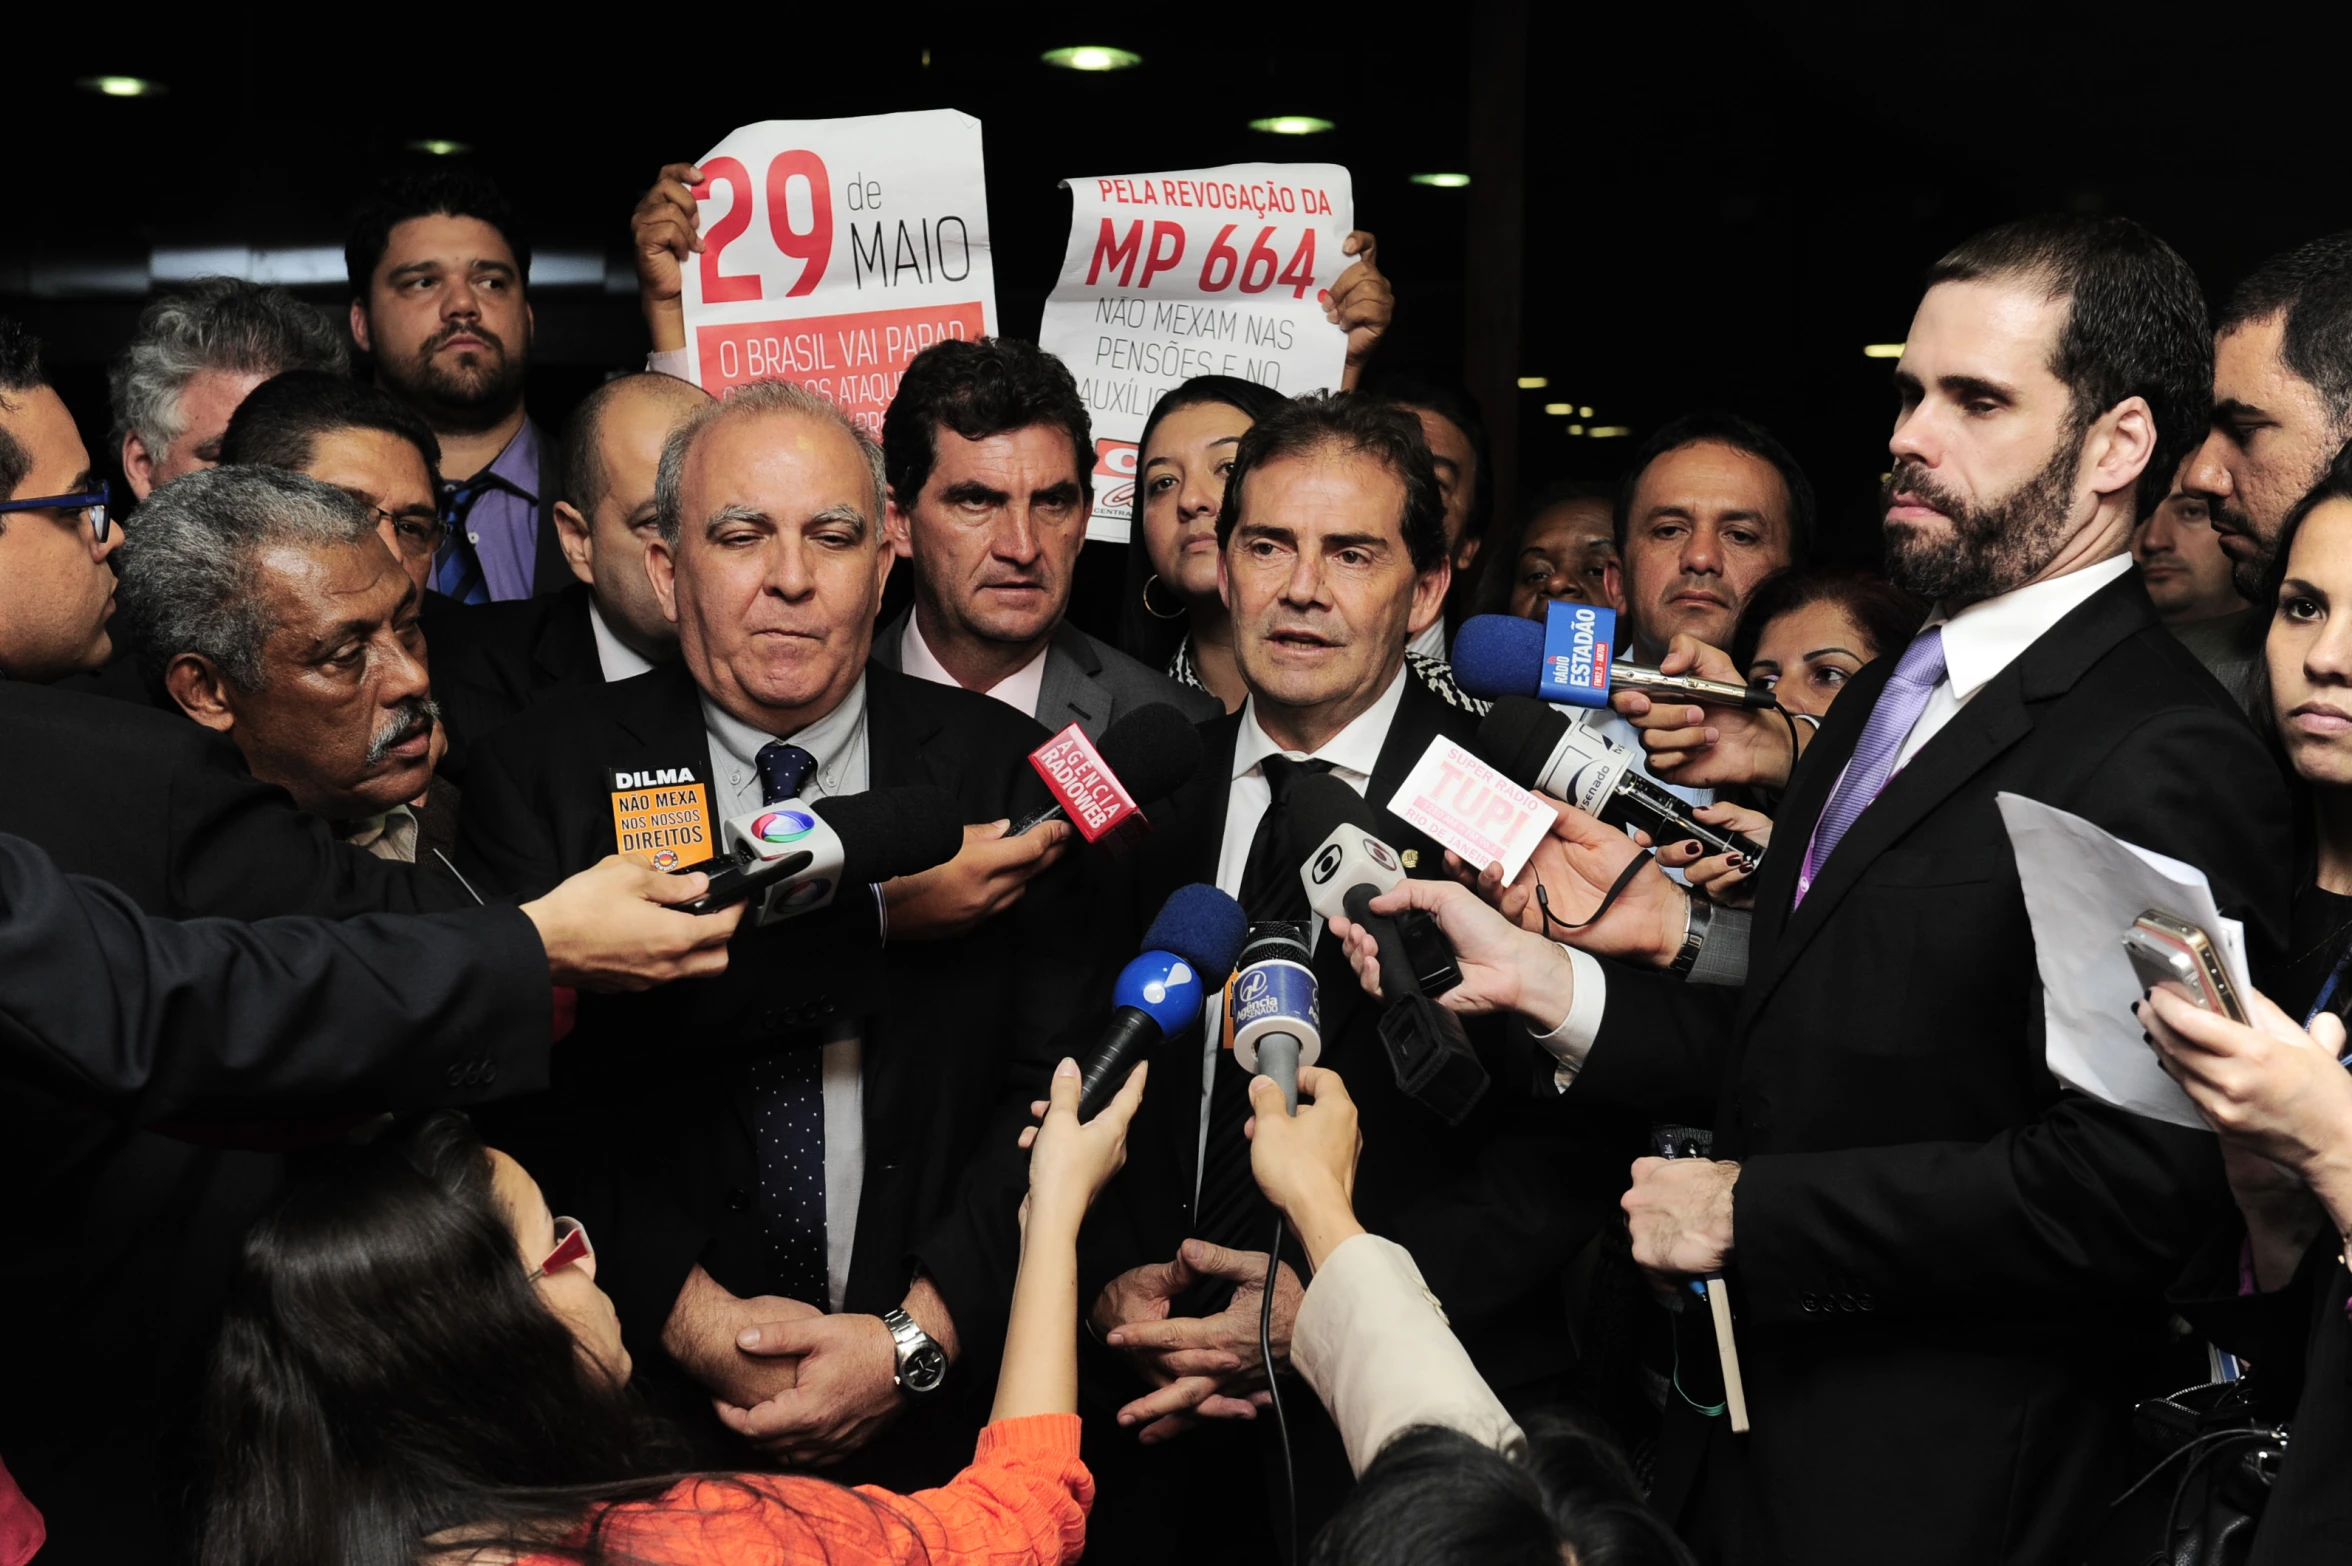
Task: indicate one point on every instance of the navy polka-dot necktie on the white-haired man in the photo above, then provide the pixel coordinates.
(789, 1111)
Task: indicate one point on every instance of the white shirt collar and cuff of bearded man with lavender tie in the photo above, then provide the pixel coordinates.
(1979, 643)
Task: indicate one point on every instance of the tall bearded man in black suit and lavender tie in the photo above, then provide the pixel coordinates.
(1951, 1271)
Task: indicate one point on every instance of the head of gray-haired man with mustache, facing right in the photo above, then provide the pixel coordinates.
(269, 610)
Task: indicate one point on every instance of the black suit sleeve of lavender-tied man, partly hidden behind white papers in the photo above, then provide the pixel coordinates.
(2083, 1203)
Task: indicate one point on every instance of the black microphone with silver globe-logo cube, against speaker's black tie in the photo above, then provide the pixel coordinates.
(1347, 869)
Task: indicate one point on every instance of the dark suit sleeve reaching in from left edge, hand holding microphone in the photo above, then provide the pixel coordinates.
(159, 1019)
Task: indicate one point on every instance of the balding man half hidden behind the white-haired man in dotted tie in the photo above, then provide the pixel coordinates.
(493, 662)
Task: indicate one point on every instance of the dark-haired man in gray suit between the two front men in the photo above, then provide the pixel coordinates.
(989, 450)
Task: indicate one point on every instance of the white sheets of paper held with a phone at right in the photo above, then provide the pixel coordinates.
(2083, 892)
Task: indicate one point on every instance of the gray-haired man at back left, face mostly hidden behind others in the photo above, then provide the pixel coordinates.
(192, 361)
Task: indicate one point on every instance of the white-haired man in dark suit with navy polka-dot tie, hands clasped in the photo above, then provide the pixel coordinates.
(827, 1062)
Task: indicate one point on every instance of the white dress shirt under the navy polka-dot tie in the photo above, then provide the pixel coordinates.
(838, 744)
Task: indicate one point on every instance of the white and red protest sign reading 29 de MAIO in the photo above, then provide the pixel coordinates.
(838, 250)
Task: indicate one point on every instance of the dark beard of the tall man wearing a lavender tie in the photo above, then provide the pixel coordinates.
(1996, 547)
